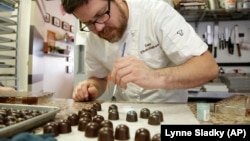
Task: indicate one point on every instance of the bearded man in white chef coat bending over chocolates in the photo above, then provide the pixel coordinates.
(163, 55)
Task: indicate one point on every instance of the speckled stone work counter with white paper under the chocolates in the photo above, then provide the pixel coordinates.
(185, 113)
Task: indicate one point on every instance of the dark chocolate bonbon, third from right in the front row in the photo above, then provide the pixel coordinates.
(122, 132)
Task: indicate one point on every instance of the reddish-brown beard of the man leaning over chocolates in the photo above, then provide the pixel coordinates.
(112, 33)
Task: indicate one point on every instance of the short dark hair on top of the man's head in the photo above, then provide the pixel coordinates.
(70, 5)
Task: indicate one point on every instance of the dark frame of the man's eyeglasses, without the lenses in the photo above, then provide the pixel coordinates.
(96, 20)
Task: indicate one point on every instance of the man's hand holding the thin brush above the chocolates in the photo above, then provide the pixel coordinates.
(131, 69)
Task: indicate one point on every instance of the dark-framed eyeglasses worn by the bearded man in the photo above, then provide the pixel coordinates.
(99, 20)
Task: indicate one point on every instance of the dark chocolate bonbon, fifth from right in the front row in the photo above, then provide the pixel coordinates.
(91, 129)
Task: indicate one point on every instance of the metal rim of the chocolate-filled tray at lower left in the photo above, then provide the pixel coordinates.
(29, 123)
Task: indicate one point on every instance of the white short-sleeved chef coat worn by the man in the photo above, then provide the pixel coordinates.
(158, 35)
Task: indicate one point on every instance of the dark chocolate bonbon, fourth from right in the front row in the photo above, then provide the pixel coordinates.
(105, 134)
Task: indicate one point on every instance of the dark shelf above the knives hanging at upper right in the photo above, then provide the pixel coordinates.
(215, 15)
